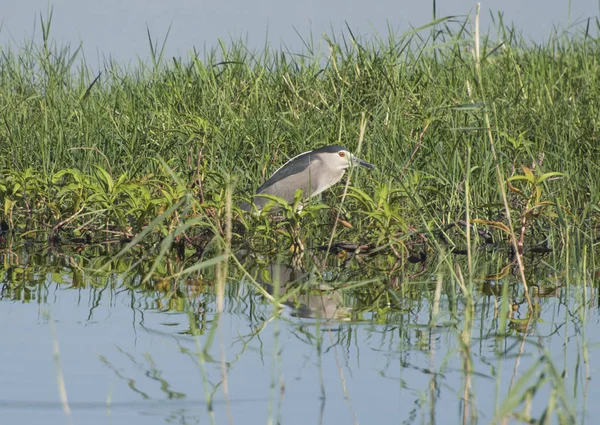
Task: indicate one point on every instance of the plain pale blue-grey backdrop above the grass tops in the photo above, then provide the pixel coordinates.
(118, 29)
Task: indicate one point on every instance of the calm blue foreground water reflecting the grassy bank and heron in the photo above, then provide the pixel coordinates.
(130, 353)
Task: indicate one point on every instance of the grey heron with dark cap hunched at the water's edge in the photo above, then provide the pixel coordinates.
(313, 172)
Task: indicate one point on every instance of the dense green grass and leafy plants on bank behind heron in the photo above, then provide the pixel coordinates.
(112, 150)
